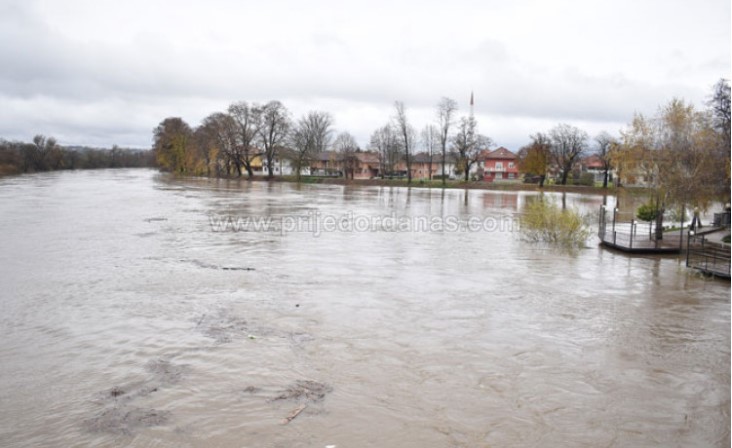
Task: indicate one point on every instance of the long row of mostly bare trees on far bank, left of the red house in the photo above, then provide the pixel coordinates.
(228, 143)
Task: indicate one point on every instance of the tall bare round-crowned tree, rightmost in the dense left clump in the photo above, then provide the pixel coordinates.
(311, 136)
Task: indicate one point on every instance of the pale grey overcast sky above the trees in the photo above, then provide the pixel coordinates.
(107, 72)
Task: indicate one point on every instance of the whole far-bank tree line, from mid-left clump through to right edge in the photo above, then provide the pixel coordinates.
(228, 143)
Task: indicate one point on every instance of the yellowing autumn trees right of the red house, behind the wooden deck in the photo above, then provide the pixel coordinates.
(682, 153)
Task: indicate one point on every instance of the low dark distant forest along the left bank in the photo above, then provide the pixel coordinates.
(45, 154)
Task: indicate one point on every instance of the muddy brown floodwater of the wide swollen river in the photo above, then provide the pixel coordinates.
(127, 320)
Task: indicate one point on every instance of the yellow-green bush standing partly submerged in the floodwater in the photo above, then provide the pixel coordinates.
(543, 220)
